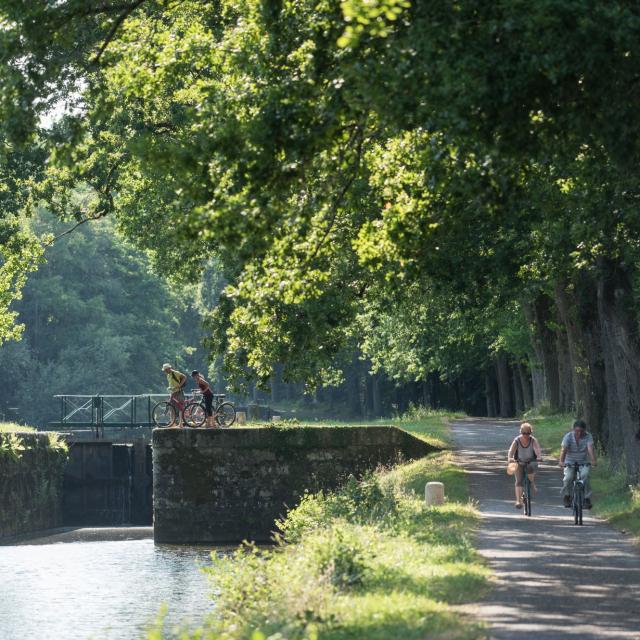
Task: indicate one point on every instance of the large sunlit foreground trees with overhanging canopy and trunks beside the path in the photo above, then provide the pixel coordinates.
(408, 179)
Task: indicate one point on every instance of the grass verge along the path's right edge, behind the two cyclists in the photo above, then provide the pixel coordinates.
(614, 499)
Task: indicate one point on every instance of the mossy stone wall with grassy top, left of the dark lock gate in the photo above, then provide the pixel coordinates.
(31, 474)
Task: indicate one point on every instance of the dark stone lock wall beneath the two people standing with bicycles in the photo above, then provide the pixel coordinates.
(215, 486)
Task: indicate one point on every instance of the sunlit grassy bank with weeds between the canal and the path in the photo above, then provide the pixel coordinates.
(366, 561)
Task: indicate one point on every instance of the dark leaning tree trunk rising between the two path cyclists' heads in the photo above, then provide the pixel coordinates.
(539, 315)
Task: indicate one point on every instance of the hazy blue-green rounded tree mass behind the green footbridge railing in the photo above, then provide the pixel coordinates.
(97, 321)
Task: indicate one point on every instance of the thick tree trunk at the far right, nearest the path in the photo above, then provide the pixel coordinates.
(621, 349)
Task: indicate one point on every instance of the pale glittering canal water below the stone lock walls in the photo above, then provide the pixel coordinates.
(103, 590)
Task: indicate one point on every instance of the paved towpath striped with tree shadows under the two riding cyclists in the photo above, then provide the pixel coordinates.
(554, 580)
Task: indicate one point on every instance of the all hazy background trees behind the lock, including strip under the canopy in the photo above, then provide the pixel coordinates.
(98, 320)
